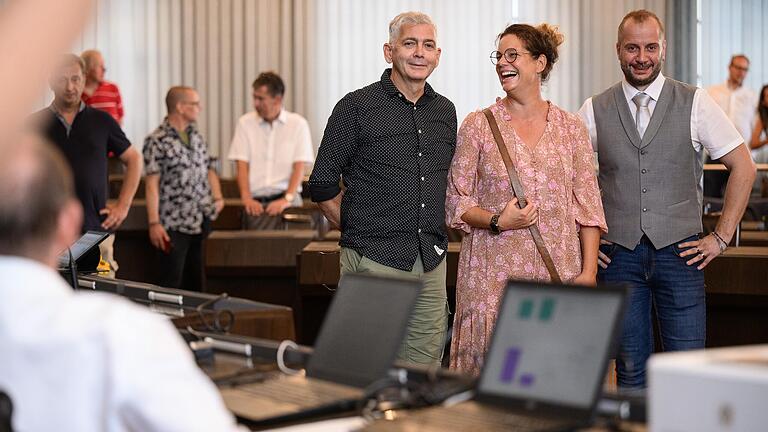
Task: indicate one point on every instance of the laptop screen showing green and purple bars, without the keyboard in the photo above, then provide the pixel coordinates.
(551, 343)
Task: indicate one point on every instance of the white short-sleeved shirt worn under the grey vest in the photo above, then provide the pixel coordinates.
(710, 127)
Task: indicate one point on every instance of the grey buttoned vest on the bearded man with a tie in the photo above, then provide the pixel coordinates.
(649, 186)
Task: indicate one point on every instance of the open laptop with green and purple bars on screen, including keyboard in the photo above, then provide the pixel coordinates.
(545, 367)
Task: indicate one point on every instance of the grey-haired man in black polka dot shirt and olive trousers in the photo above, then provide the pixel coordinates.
(391, 143)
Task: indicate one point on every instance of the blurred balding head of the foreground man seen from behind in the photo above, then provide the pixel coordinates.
(37, 188)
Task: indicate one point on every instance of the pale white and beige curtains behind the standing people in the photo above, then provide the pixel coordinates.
(327, 48)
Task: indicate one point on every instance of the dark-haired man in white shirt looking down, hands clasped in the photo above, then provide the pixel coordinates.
(271, 147)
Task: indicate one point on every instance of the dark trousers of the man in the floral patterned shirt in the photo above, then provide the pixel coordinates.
(184, 266)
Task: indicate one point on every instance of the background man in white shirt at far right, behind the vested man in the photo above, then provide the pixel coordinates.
(740, 105)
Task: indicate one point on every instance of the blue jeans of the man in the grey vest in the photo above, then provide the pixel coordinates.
(659, 279)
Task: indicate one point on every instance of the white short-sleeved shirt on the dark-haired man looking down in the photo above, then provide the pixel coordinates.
(271, 150)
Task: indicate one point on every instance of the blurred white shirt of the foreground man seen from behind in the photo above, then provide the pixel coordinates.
(95, 362)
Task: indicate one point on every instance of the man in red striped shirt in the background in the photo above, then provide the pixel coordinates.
(98, 93)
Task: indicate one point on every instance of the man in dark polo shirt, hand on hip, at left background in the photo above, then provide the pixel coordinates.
(85, 136)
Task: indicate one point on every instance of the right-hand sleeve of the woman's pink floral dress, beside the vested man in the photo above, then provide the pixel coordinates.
(587, 203)
